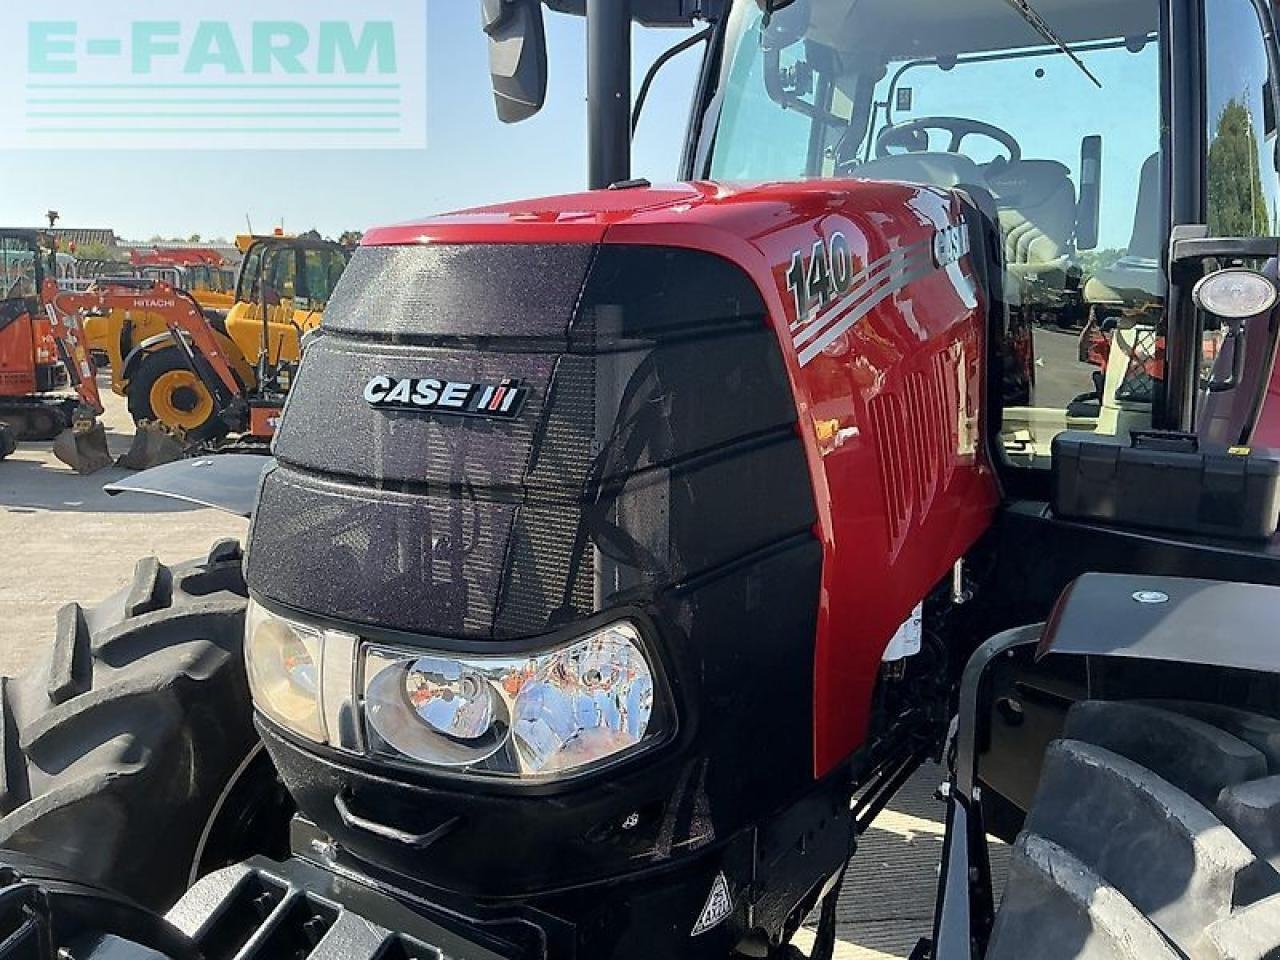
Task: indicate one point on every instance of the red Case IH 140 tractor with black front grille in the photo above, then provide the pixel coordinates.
(671, 529)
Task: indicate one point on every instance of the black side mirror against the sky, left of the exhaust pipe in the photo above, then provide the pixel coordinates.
(518, 57)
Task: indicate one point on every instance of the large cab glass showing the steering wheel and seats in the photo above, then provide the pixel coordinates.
(1062, 148)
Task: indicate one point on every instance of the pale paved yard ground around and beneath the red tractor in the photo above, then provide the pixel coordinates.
(63, 540)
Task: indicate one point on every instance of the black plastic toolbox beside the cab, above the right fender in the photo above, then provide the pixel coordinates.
(1168, 482)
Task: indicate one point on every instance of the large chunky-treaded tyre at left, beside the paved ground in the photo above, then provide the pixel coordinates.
(118, 753)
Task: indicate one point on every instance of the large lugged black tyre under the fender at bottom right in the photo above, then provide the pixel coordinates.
(1155, 834)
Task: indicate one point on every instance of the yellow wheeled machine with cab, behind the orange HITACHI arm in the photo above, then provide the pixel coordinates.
(281, 292)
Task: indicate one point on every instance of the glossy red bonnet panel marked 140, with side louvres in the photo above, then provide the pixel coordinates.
(886, 374)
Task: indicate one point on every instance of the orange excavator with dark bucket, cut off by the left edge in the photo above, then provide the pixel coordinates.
(48, 381)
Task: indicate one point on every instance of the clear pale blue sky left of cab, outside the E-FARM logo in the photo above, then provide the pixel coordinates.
(470, 159)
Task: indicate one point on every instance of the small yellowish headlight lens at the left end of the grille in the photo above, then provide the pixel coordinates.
(284, 661)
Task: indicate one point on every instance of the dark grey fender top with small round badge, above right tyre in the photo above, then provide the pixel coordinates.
(1204, 623)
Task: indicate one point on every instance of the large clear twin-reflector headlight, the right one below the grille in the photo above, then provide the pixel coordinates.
(541, 716)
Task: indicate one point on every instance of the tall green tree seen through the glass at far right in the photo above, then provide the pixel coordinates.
(1237, 204)
